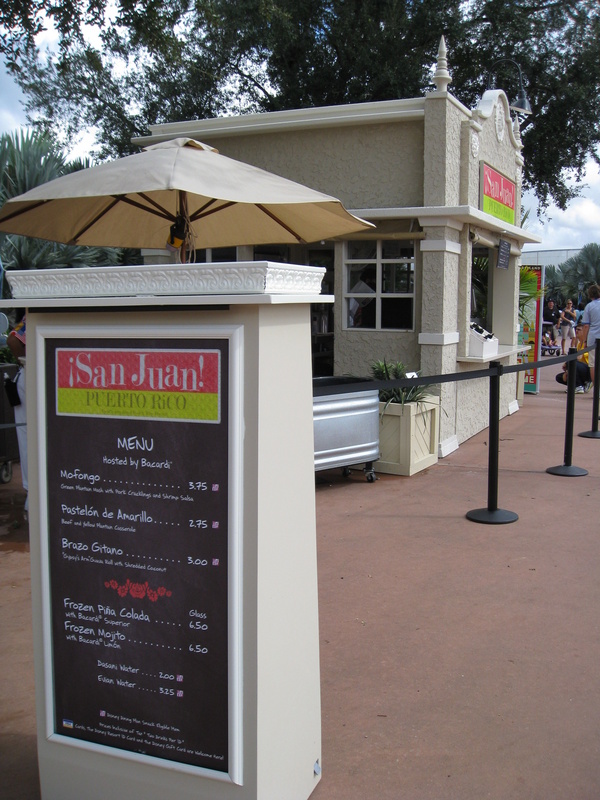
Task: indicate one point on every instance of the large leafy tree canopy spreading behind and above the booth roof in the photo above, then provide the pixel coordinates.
(170, 60)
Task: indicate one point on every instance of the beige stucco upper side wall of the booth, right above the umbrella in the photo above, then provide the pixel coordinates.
(364, 166)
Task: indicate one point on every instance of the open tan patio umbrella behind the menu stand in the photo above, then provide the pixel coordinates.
(180, 189)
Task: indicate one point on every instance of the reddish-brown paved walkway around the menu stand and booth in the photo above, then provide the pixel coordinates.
(459, 660)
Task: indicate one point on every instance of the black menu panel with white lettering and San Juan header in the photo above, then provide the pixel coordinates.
(137, 540)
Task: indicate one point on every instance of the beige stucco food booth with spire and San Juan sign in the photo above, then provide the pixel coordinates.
(442, 185)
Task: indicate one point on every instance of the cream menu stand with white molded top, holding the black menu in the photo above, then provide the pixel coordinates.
(172, 523)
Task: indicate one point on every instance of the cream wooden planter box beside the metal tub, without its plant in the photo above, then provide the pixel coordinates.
(408, 436)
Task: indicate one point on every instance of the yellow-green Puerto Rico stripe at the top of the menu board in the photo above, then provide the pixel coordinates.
(198, 407)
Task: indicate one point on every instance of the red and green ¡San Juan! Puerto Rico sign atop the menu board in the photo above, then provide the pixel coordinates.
(177, 385)
